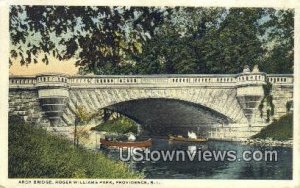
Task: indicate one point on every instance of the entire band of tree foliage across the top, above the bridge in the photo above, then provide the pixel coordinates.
(152, 40)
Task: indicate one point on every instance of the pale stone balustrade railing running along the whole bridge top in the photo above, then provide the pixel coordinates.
(230, 79)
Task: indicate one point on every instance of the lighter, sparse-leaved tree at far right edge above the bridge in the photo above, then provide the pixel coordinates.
(278, 32)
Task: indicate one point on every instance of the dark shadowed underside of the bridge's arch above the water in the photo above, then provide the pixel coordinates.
(161, 117)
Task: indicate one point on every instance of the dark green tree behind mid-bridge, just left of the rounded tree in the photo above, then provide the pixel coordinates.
(176, 46)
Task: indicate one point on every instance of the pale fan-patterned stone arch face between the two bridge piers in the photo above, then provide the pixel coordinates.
(222, 101)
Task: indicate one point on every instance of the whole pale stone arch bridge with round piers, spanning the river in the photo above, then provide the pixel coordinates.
(232, 102)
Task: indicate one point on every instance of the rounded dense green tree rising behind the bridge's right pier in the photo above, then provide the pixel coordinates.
(235, 43)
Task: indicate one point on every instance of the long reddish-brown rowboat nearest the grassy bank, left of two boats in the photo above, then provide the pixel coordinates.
(122, 144)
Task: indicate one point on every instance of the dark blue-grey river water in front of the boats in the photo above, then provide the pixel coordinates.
(282, 169)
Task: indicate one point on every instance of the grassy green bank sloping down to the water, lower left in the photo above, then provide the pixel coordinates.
(34, 153)
